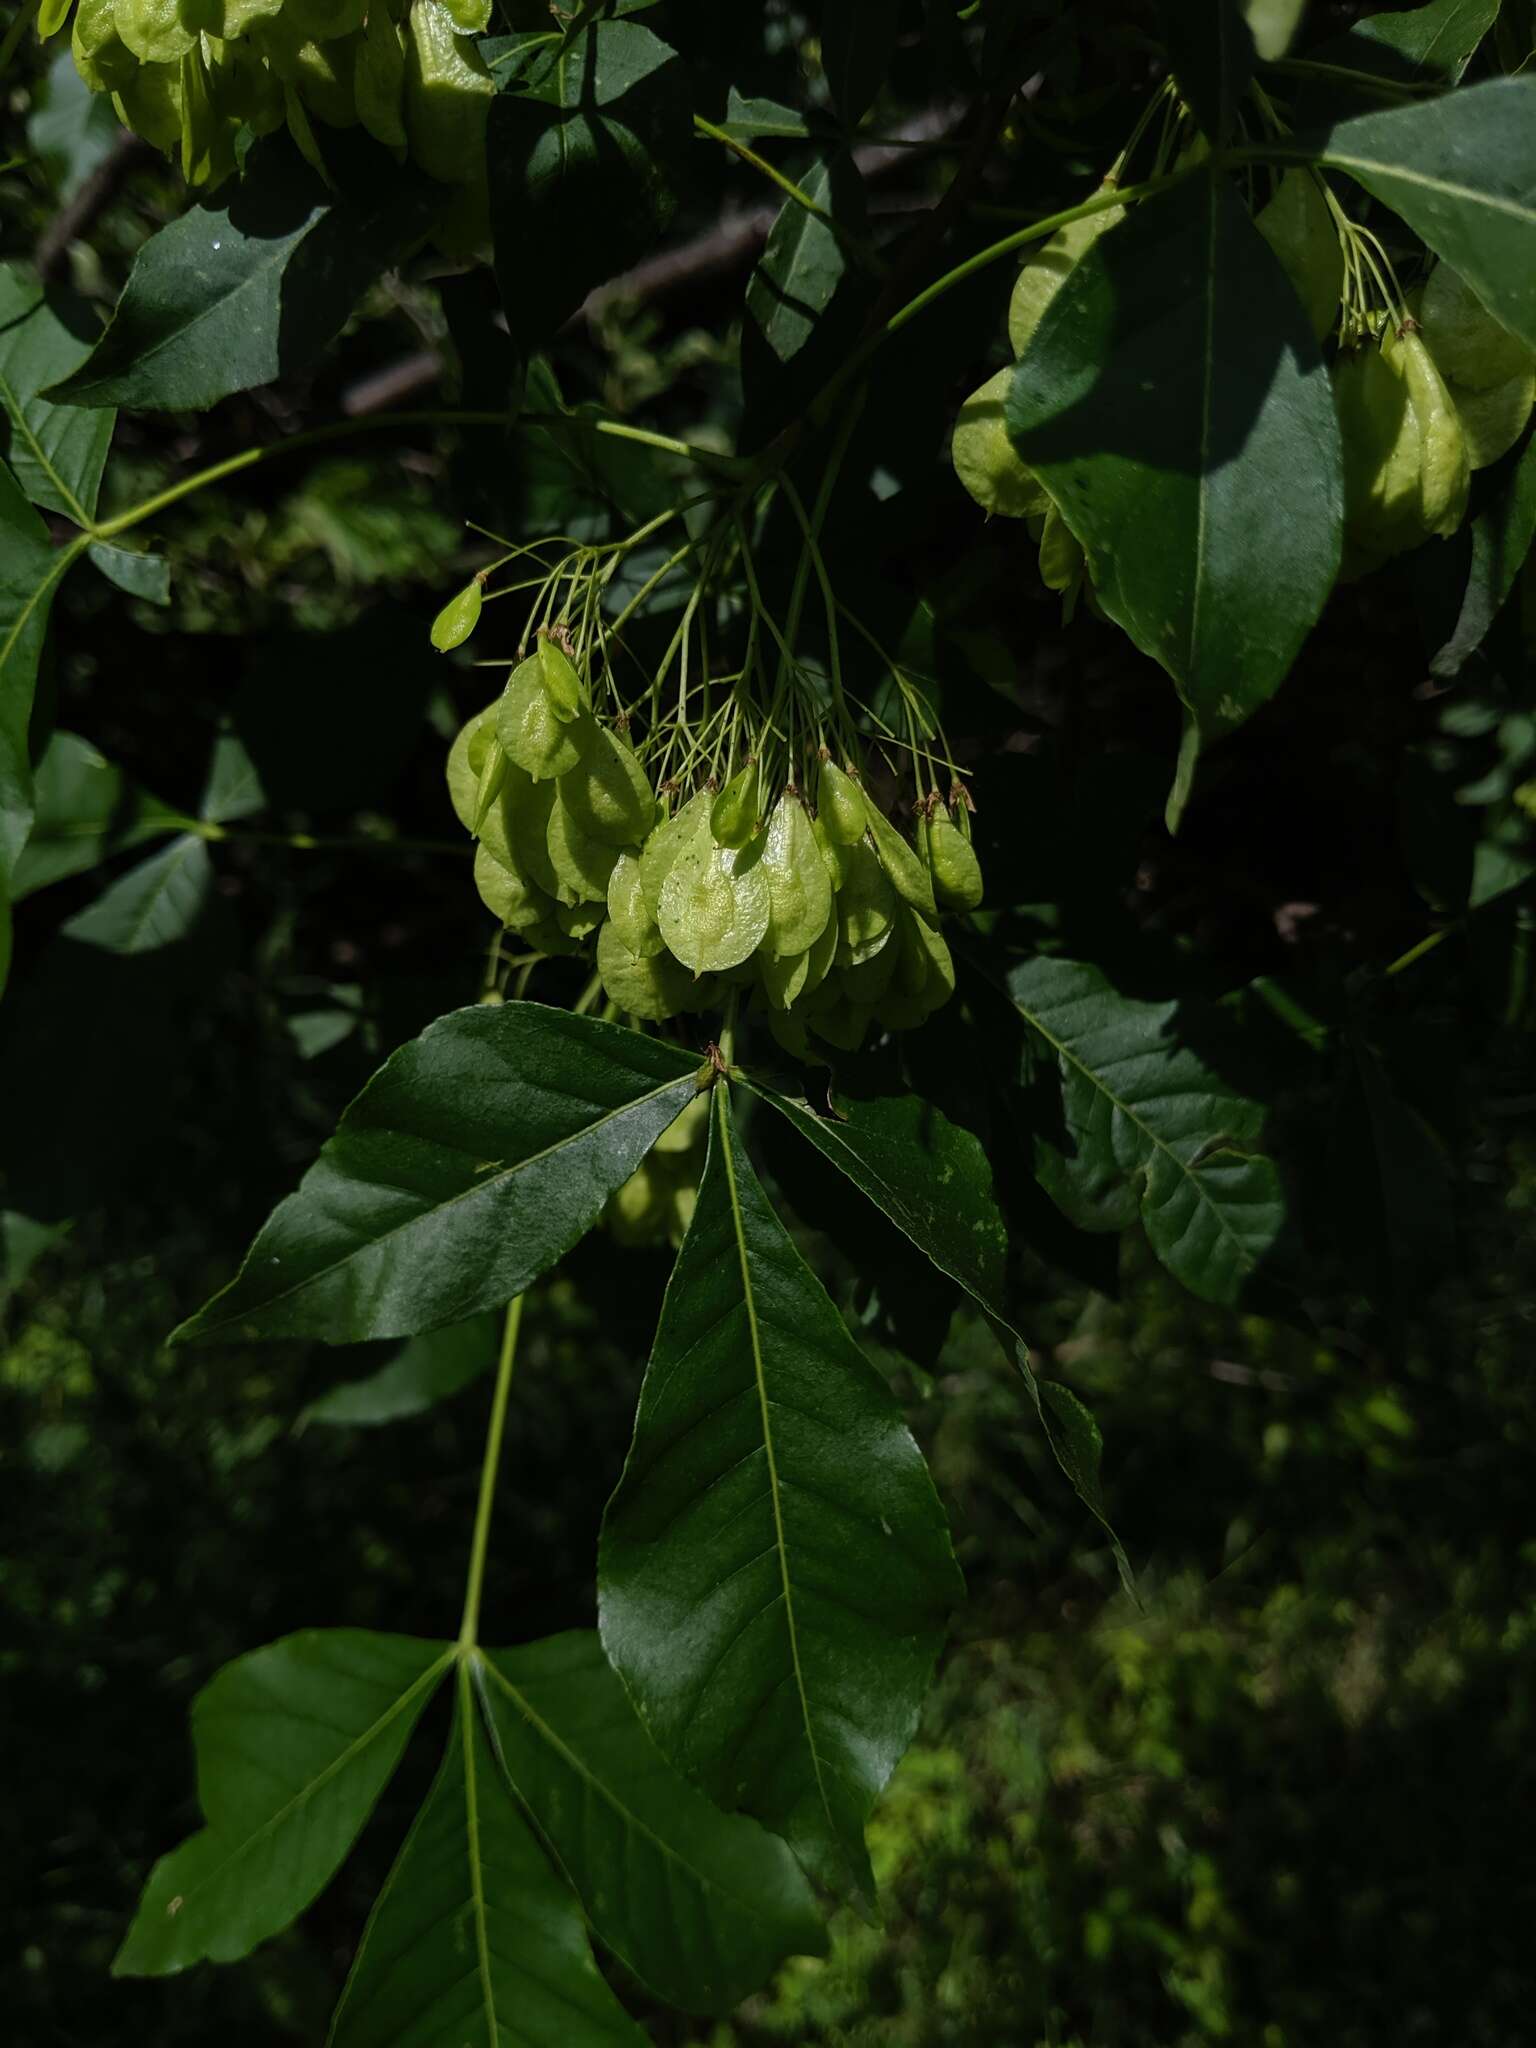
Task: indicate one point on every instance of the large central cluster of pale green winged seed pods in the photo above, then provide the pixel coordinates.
(830, 919)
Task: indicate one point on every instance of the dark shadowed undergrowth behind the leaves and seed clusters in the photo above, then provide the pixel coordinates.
(1283, 1803)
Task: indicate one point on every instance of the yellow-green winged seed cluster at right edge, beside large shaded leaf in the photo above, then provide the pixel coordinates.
(1420, 409)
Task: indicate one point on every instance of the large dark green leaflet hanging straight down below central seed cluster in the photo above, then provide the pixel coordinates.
(775, 1564)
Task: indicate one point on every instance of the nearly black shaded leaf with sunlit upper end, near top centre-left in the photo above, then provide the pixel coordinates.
(597, 136)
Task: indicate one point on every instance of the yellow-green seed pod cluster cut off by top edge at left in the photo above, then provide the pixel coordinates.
(191, 75)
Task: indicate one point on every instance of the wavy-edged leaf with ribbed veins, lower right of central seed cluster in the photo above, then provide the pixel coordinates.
(1132, 1121)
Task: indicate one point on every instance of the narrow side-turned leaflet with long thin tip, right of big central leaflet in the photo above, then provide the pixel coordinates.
(935, 1183)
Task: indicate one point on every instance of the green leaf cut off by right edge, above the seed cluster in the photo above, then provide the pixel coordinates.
(1461, 171)
